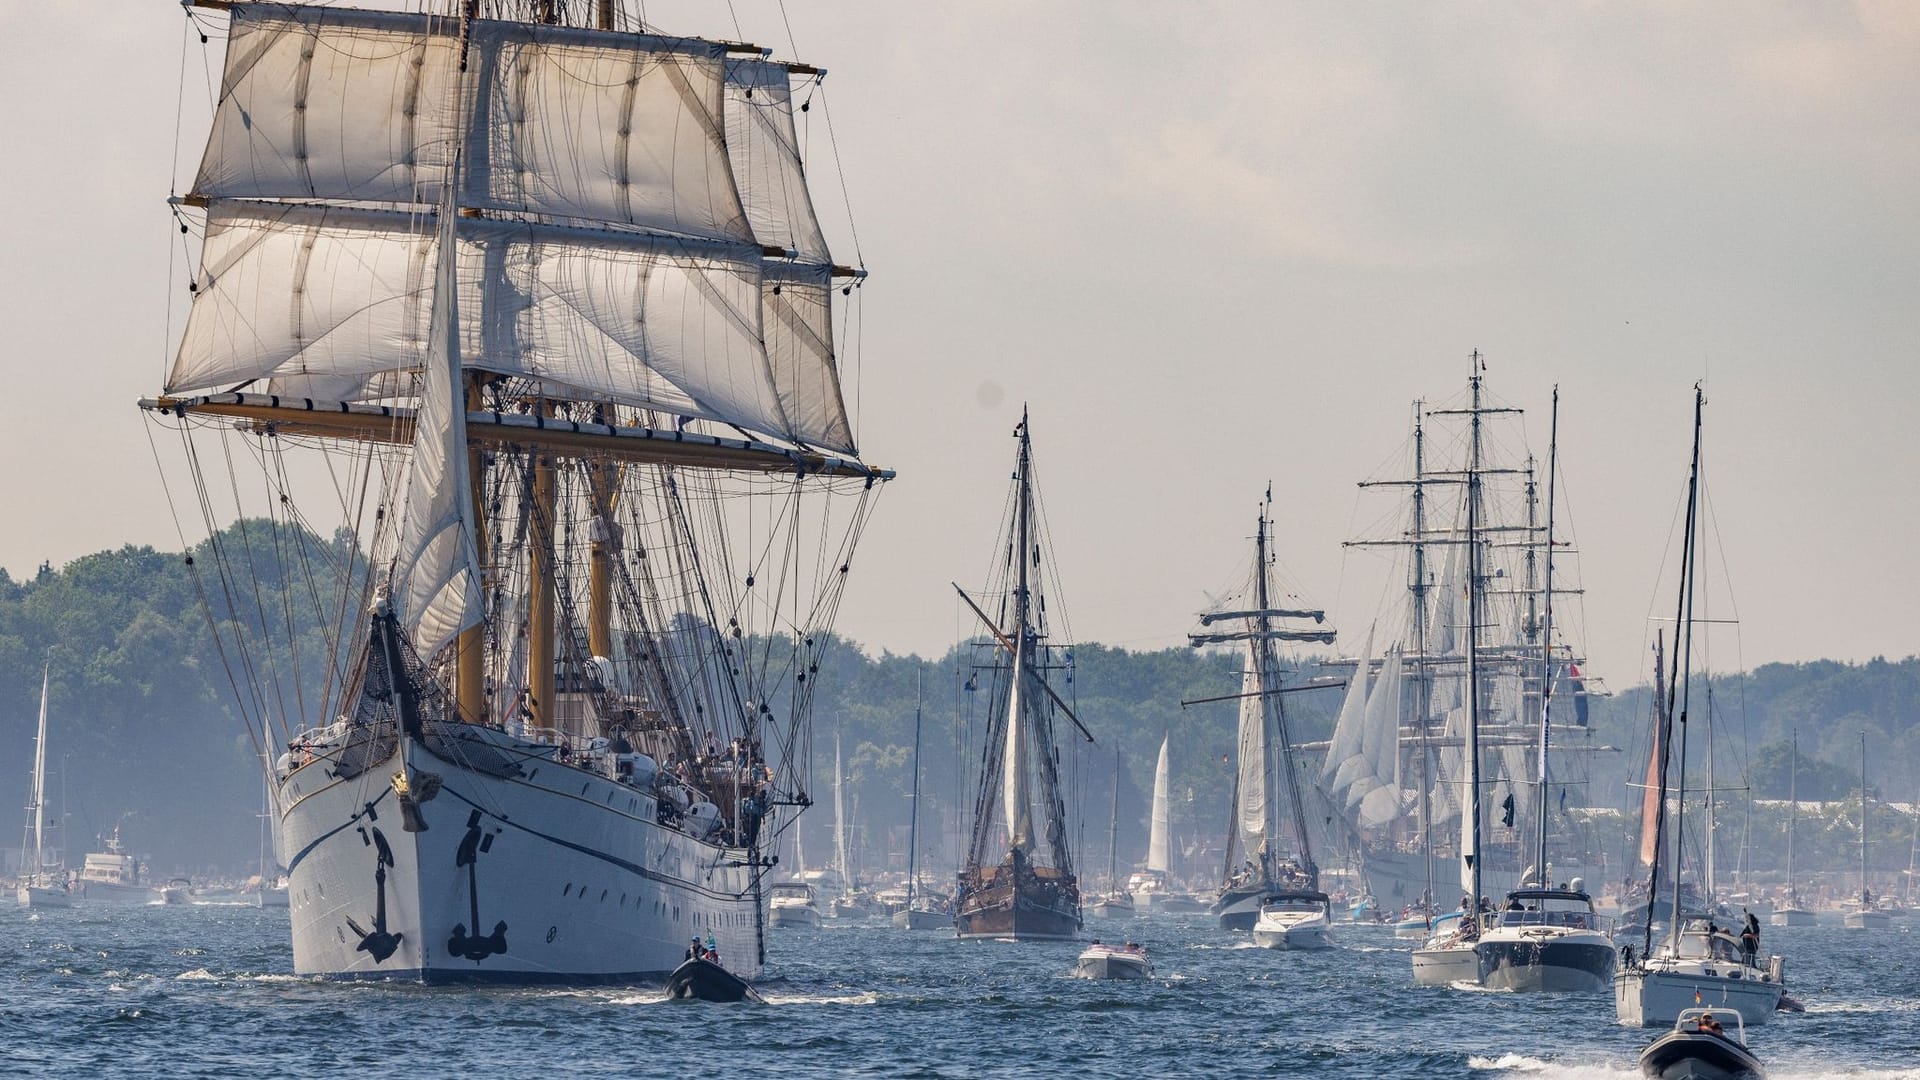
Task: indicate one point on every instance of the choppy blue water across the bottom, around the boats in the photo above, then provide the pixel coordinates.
(208, 993)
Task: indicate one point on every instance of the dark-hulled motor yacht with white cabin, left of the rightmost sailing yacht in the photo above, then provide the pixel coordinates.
(1547, 941)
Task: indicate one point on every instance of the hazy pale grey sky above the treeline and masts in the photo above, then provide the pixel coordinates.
(1211, 245)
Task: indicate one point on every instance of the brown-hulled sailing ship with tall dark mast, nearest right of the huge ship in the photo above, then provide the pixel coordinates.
(1019, 879)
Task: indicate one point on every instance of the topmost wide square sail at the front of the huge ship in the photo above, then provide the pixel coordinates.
(366, 107)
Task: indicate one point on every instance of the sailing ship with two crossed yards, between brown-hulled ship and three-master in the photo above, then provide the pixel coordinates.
(1264, 747)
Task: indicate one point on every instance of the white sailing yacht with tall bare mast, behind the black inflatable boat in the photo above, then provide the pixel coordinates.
(1700, 964)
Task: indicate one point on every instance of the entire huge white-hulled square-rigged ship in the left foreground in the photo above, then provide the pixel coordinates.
(533, 303)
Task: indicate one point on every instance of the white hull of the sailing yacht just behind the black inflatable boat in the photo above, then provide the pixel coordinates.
(1704, 968)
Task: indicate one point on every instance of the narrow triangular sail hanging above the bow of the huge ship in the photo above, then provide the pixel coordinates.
(437, 577)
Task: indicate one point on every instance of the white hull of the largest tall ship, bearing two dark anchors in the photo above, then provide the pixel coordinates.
(552, 875)
